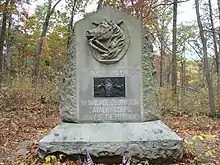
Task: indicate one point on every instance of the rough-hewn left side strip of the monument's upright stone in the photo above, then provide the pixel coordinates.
(68, 89)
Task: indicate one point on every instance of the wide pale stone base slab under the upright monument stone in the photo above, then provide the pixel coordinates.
(153, 140)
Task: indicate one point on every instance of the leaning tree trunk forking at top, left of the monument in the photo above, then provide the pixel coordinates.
(36, 70)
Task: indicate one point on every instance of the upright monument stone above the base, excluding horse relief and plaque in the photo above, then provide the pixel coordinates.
(78, 103)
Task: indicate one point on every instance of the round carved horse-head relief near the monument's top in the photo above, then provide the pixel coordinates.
(108, 41)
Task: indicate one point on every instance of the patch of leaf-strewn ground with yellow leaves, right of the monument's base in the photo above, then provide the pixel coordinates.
(190, 127)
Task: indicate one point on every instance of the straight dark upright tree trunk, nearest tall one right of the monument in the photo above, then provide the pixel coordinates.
(174, 48)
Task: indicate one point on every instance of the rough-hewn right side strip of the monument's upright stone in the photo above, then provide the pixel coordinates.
(149, 84)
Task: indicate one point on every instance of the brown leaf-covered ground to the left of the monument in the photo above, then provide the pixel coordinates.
(24, 120)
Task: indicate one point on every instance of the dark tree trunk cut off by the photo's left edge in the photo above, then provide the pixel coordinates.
(2, 39)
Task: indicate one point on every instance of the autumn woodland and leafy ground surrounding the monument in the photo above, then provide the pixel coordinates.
(32, 53)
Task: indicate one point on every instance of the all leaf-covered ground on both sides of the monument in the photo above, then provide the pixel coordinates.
(23, 123)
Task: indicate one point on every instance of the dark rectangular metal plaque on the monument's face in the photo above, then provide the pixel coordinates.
(109, 87)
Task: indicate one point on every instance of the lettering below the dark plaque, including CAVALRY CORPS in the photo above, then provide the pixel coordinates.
(110, 110)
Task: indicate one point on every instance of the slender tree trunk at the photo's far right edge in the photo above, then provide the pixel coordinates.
(215, 48)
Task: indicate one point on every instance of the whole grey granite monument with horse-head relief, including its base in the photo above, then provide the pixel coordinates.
(108, 94)
